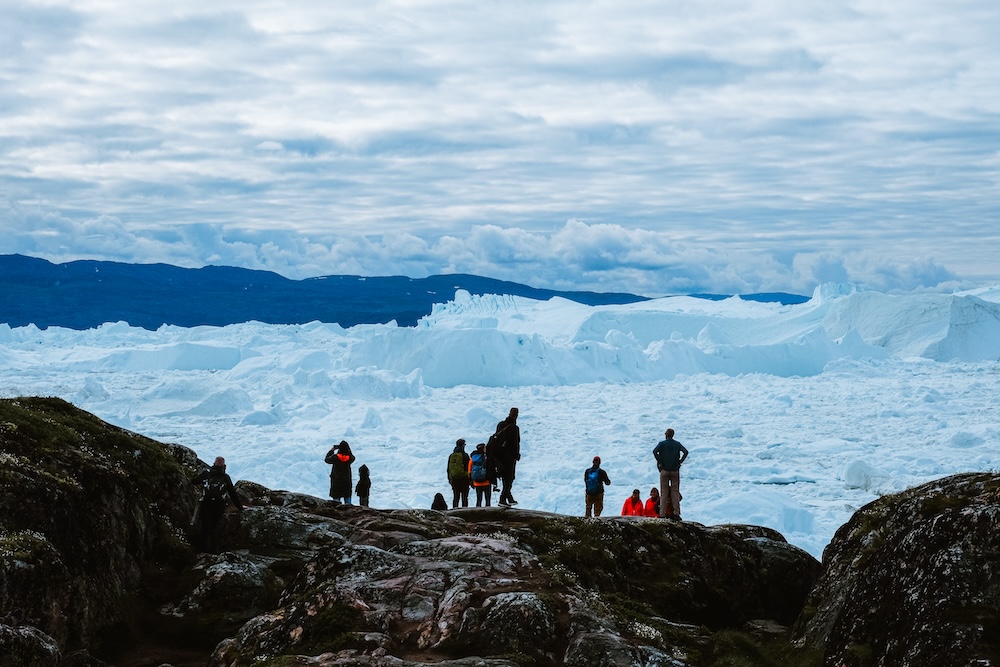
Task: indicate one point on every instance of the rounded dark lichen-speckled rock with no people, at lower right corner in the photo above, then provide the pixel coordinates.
(912, 580)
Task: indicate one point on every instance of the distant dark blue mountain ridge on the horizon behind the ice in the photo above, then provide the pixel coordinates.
(87, 293)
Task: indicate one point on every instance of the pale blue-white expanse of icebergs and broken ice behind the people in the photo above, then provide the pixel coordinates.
(795, 416)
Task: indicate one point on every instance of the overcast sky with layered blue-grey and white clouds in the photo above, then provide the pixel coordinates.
(651, 147)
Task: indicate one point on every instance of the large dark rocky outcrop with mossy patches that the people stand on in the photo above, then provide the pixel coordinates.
(96, 567)
